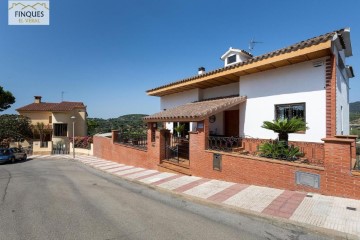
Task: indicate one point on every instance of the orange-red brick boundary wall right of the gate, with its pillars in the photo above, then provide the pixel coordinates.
(336, 177)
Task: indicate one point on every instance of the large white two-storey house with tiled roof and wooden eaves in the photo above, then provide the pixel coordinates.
(309, 79)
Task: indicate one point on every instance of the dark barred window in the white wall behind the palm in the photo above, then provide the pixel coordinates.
(290, 110)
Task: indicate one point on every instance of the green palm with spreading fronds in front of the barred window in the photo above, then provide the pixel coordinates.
(285, 126)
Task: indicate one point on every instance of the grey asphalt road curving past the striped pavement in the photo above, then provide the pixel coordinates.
(64, 199)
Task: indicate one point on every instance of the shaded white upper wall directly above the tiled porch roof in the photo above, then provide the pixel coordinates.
(177, 99)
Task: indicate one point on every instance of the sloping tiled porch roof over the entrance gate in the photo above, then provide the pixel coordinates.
(197, 111)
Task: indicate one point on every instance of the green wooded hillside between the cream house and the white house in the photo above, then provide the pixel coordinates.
(131, 123)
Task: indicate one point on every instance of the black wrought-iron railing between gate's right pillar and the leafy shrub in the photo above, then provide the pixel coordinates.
(226, 144)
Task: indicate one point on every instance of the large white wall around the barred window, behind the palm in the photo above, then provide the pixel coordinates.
(292, 84)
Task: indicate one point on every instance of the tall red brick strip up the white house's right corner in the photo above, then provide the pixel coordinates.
(331, 96)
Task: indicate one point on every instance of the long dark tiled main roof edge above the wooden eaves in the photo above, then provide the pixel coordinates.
(300, 45)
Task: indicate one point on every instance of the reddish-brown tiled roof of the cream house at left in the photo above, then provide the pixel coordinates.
(52, 107)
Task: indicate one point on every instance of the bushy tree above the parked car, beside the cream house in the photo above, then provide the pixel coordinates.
(15, 127)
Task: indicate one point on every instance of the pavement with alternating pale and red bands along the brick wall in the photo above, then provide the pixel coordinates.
(340, 214)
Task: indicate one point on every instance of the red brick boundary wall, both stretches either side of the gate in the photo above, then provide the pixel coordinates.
(336, 176)
